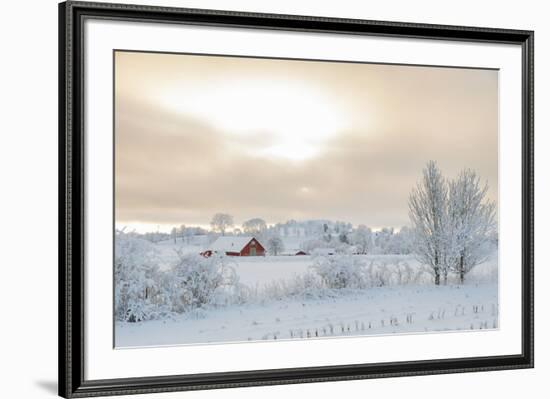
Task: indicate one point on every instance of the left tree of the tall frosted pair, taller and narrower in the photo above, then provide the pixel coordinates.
(427, 212)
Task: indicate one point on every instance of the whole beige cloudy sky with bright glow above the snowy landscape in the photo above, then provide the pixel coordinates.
(282, 139)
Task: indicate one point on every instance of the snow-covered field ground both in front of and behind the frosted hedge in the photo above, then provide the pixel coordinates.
(415, 308)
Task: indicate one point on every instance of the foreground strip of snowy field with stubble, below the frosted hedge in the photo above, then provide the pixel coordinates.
(384, 310)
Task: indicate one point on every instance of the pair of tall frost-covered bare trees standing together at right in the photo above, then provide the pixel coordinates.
(453, 222)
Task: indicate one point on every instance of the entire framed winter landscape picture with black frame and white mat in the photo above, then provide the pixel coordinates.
(254, 199)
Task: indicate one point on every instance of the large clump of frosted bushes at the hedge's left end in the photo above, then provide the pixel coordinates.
(143, 292)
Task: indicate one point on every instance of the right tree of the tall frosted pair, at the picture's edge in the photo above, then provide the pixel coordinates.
(472, 222)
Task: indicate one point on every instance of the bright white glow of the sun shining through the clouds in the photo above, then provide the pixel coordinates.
(296, 118)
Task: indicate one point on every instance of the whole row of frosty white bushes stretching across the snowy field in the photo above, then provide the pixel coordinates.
(195, 283)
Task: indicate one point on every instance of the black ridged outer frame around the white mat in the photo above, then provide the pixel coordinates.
(72, 383)
